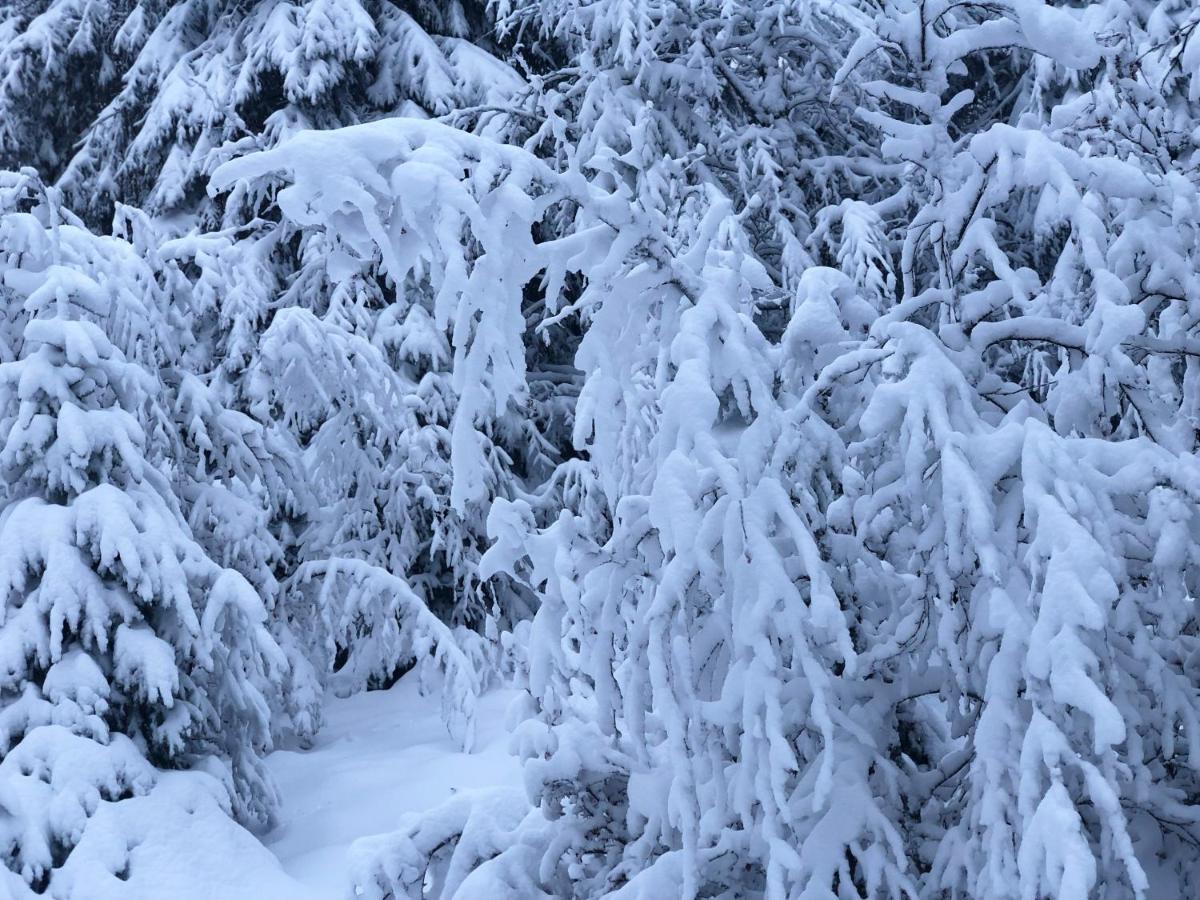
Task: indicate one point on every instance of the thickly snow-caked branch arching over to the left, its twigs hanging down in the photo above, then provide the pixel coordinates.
(409, 206)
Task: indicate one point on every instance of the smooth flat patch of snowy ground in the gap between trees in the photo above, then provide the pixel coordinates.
(380, 755)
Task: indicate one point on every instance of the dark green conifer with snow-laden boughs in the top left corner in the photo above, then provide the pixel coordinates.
(139, 103)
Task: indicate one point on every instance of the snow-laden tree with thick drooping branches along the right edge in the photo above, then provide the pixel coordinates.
(1037, 439)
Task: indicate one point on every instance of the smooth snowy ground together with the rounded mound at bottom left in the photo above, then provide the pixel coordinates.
(381, 755)
